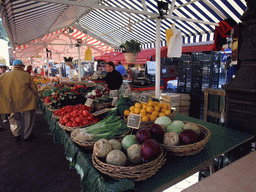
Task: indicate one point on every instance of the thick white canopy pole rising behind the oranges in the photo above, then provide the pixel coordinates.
(158, 63)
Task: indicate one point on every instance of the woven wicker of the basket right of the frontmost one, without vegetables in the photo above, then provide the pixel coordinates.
(190, 149)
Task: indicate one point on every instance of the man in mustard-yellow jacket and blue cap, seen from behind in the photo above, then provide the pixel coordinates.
(18, 97)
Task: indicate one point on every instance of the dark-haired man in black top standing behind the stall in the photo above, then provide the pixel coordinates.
(114, 79)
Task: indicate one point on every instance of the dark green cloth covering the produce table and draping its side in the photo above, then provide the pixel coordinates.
(222, 140)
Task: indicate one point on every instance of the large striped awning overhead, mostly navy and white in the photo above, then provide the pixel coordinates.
(111, 22)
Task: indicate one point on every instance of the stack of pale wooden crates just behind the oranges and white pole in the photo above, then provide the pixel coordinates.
(179, 101)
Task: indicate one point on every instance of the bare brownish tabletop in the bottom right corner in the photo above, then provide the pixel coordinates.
(238, 176)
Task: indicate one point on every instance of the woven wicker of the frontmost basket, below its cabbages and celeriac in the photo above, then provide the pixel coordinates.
(136, 173)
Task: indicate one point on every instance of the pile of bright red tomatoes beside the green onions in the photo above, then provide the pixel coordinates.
(74, 116)
